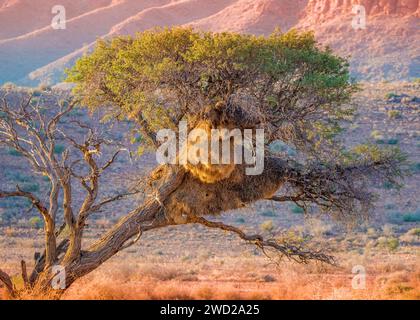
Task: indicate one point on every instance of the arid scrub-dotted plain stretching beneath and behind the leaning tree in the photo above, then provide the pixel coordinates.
(193, 262)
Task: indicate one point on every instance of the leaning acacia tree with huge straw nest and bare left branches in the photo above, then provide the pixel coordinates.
(286, 84)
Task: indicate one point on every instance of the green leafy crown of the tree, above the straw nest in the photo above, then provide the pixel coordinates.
(166, 74)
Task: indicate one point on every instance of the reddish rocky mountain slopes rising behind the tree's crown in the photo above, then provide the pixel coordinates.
(31, 51)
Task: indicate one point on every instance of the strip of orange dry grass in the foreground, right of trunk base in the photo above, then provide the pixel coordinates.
(289, 283)
